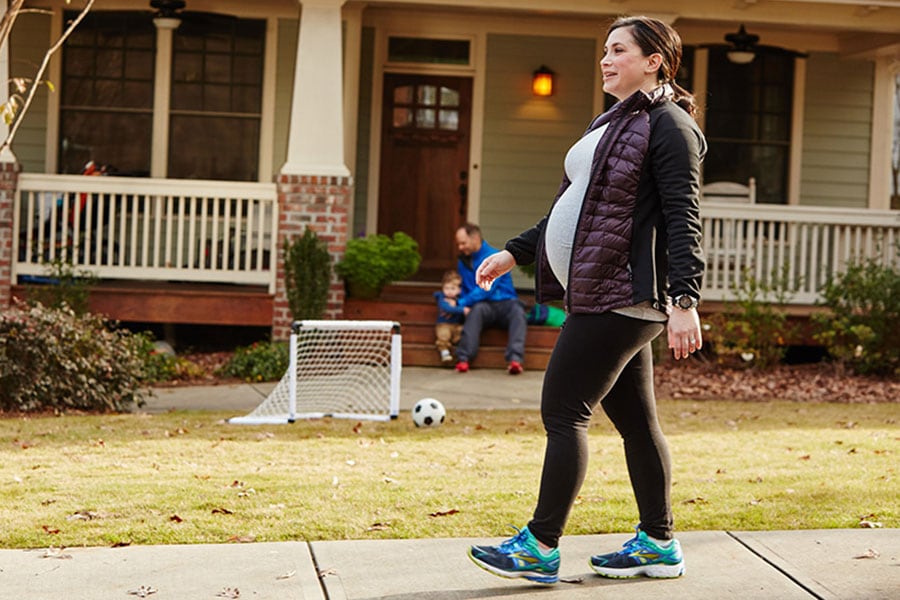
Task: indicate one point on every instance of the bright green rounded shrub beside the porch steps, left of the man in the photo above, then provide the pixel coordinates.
(372, 262)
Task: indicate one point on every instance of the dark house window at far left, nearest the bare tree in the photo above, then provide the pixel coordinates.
(106, 106)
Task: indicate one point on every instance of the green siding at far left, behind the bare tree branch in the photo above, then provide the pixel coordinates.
(29, 41)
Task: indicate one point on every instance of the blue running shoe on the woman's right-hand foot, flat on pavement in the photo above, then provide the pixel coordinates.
(641, 556)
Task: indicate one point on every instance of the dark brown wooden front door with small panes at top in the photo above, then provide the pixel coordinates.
(425, 164)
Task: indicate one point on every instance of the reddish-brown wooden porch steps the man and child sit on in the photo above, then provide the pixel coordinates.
(413, 306)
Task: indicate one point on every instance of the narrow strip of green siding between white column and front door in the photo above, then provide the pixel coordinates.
(363, 131)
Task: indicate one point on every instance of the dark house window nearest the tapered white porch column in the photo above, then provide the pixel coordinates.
(217, 72)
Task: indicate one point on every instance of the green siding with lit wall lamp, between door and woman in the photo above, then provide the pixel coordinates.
(525, 137)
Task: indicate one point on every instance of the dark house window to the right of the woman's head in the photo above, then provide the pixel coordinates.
(748, 122)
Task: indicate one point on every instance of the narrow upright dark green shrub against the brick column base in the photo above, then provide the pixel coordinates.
(307, 268)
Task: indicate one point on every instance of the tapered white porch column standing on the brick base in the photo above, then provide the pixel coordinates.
(316, 135)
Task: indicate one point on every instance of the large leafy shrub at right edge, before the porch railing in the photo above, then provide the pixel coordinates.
(862, 326)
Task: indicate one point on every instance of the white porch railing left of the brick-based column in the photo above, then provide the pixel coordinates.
(148, 229)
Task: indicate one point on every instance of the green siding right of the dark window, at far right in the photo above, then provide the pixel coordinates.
(837, 132)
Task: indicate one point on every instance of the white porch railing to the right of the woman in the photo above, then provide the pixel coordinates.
(799, 246)
